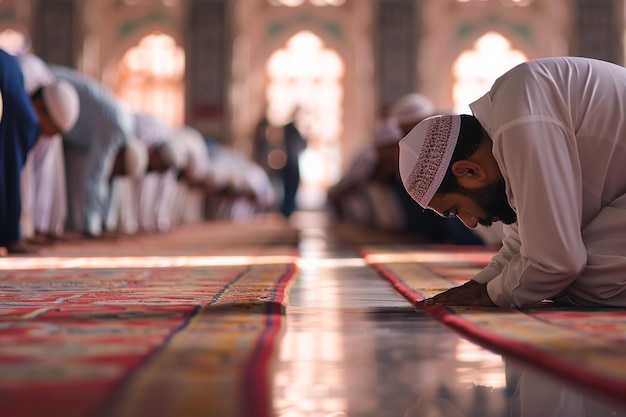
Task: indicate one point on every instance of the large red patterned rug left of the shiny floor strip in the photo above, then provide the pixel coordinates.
(182, 323)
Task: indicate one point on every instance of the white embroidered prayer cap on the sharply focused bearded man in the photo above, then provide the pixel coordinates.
(425, 154)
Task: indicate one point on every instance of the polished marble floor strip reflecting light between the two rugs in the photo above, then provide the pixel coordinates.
(353, 347)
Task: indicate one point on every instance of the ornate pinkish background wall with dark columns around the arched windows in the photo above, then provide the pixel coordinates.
(389, 47)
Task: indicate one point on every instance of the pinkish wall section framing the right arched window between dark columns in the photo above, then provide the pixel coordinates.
(450, 27)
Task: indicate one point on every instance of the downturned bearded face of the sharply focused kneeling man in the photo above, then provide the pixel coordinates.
(473, 206)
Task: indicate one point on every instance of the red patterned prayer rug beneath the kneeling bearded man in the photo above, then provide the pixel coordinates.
(586, 347)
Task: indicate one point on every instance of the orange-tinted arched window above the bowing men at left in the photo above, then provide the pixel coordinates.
(150, 78)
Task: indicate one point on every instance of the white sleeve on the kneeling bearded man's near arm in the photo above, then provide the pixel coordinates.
(539, 161)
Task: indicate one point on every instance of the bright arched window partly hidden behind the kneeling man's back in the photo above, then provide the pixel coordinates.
(476, 69)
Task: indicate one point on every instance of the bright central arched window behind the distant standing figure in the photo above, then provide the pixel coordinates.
(307, 76)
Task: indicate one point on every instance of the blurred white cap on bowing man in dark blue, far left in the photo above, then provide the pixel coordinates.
(61, 102)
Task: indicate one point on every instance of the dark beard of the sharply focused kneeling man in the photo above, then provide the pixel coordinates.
(492, 200)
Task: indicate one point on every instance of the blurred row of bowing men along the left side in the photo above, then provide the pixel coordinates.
(78, 162)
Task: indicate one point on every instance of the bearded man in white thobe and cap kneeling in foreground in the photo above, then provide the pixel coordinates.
(544, 152)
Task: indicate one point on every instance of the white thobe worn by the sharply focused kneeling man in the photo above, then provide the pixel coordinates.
(559, 138)
